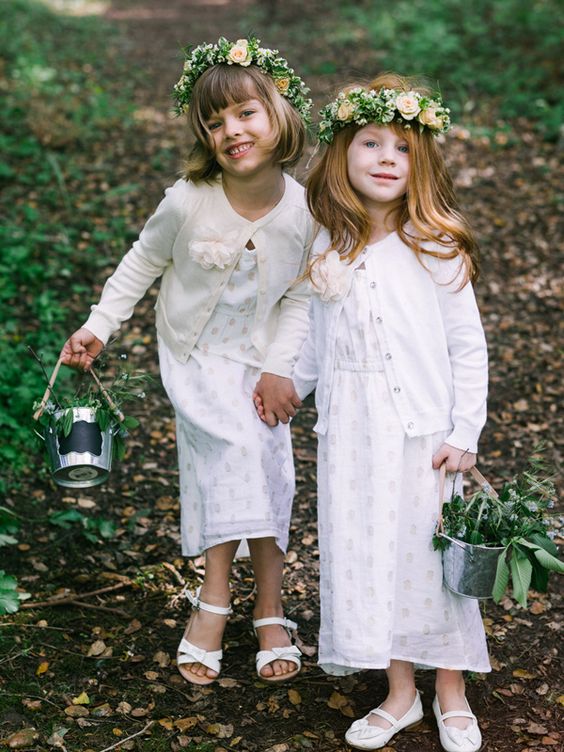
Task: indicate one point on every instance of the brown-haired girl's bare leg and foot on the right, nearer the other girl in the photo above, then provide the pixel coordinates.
(268, 565)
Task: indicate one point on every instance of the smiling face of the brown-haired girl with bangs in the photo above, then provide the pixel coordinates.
(242, 138)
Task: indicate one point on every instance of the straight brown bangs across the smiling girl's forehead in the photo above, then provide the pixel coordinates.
(223, 86)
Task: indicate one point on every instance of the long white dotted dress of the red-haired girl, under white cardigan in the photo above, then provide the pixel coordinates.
(381, 588)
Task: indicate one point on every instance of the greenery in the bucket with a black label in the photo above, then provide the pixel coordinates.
(126, 386)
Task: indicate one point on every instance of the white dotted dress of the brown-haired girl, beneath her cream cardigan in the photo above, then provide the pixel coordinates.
(236, 473)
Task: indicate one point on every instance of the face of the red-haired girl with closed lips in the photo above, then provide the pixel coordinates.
(378, 165)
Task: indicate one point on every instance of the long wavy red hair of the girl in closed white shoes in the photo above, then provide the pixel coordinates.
(430, 204)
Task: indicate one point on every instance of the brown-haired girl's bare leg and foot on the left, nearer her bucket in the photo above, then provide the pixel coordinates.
(205, 629)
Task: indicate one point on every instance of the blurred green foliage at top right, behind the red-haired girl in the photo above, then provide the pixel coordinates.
(491, 59)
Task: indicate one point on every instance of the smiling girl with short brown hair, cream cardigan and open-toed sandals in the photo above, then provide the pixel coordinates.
(229, 241)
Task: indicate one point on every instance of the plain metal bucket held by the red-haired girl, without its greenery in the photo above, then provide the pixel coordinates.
(470, 569)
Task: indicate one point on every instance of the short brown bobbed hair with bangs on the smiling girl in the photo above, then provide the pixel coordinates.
(223, 85)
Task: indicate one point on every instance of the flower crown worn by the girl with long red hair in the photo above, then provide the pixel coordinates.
(362, 106)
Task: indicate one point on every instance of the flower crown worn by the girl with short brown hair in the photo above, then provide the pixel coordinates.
(242, 52)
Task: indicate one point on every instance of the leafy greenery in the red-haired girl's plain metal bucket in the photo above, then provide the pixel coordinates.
(518, 520)
